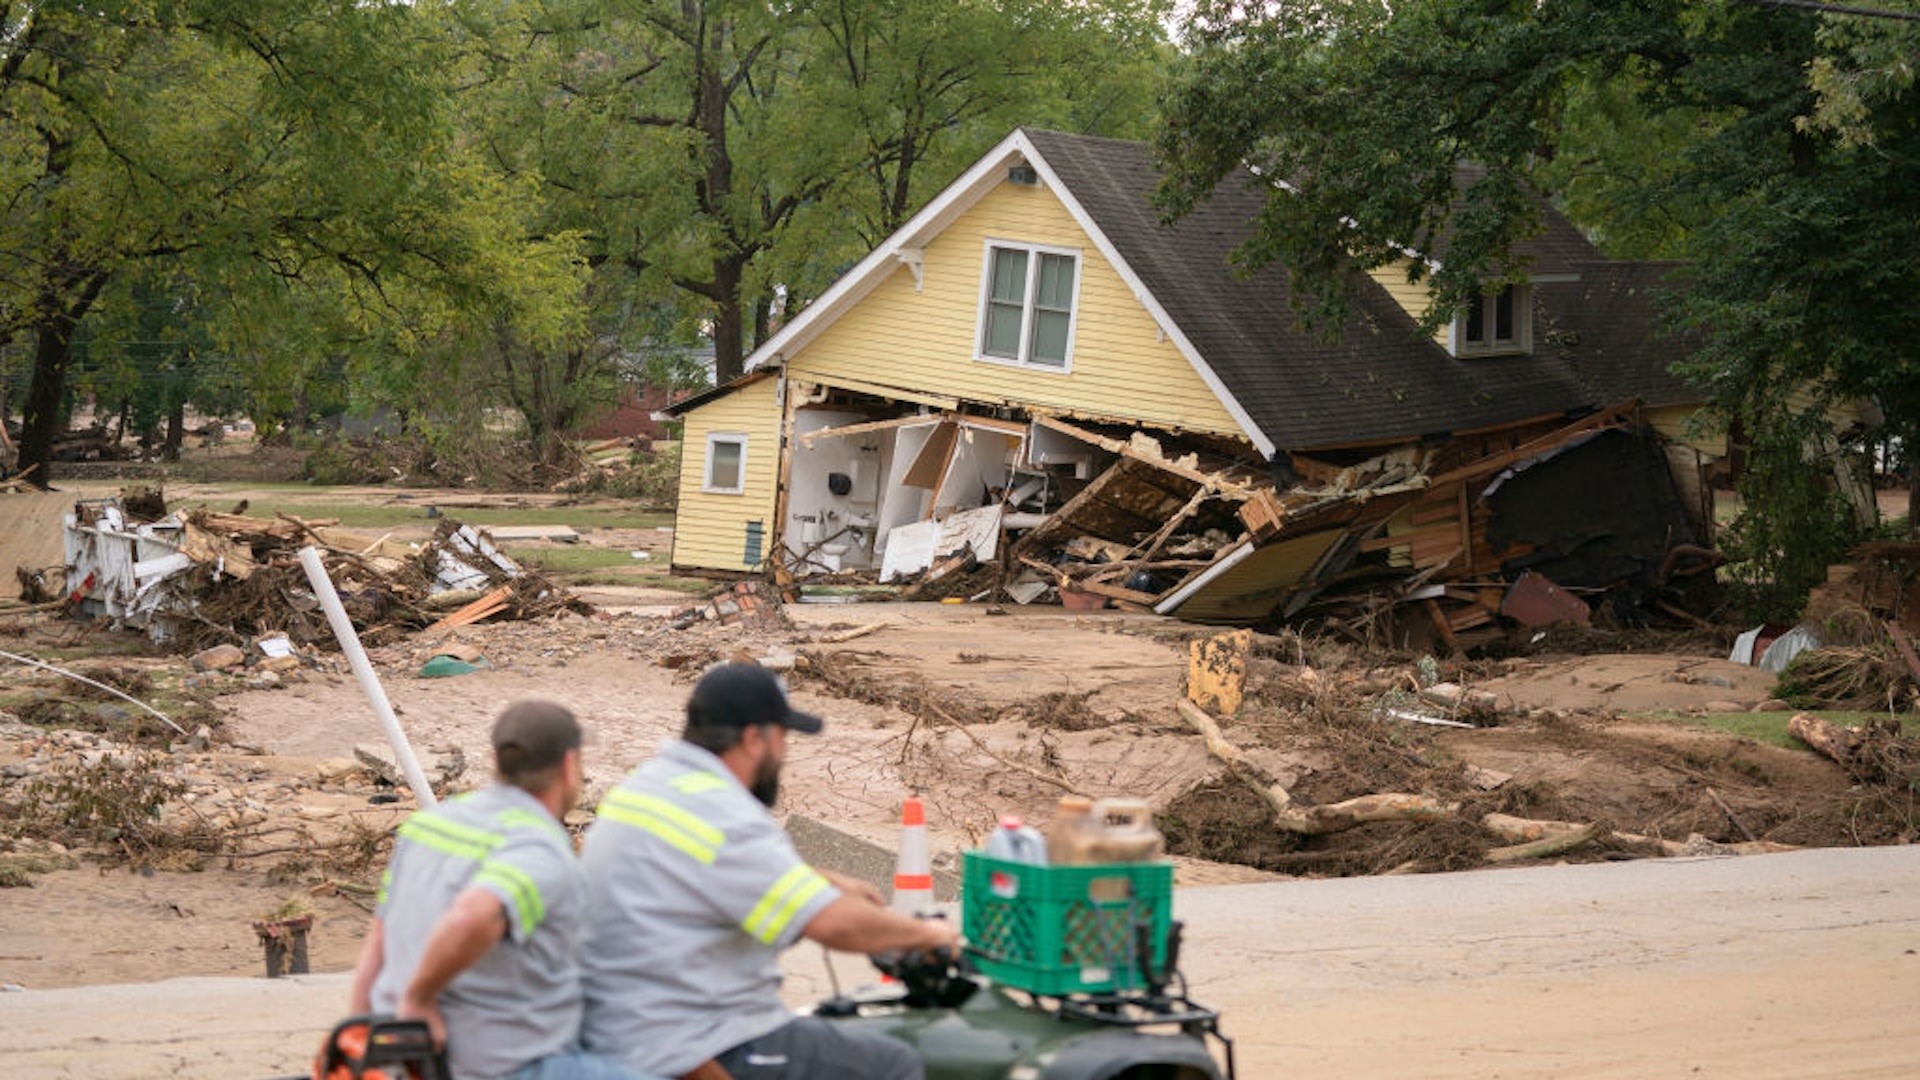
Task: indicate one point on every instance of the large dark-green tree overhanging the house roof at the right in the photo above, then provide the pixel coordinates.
(1800, 241)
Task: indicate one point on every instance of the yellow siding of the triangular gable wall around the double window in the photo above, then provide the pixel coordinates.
(1120, 364)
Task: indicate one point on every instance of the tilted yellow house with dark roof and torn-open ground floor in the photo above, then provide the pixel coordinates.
(1030, 324)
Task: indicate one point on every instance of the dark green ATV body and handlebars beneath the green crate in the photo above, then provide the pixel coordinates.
(969, 1027)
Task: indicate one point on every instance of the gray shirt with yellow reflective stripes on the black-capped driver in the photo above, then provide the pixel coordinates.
(696, 891)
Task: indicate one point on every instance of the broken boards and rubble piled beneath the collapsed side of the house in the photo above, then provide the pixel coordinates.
(1537, 528)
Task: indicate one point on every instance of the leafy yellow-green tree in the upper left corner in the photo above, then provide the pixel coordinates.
(285, 157)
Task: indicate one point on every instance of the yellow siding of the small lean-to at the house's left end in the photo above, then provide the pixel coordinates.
(711, 529)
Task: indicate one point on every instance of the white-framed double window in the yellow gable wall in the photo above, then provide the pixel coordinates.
(1028, 301)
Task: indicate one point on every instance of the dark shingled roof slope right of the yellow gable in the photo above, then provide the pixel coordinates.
(1383, 381)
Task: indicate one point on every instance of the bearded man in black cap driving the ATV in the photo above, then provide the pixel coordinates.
(696, 891)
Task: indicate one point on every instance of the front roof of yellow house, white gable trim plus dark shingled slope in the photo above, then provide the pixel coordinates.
(1285, 387)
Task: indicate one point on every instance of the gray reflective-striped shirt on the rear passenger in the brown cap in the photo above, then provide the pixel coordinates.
(521, 1000)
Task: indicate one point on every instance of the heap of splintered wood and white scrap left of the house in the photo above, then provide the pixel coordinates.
(201, 577)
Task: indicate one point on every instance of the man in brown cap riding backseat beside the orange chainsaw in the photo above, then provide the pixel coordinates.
(483, 916)
